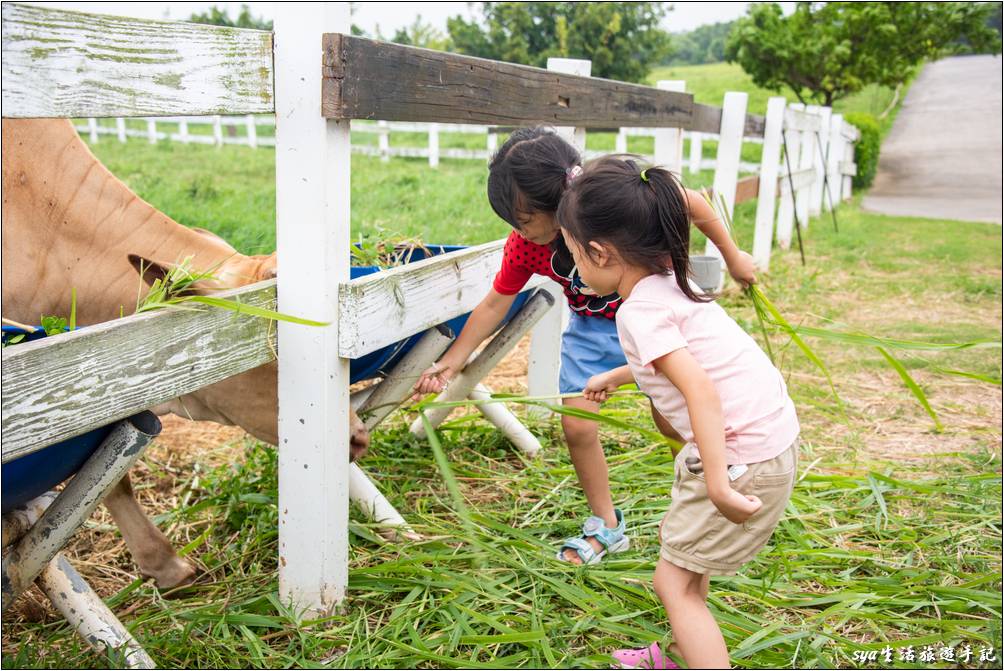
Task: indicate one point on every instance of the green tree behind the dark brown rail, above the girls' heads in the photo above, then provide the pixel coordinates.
(623, 40)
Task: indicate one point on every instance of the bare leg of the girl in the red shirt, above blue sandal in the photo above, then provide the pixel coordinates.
(591, 468)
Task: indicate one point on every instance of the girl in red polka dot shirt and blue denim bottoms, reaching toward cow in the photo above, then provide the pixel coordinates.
(527, 180)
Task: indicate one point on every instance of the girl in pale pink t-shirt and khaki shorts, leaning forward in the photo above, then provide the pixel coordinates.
(628, 231)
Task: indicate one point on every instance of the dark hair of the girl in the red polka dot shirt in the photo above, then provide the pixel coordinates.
(530, 174)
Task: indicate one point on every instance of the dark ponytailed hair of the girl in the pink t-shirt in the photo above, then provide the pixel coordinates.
(641, 213)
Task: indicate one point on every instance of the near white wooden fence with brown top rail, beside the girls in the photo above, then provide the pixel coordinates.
(57, 65)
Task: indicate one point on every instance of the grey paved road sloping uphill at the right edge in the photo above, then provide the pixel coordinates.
(943, 157)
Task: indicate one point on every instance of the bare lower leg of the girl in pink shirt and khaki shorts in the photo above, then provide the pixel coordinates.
(685, 596)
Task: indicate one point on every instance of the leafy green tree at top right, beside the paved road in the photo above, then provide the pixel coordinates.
(826, 52)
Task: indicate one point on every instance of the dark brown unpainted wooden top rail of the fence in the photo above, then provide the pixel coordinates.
(365, 79)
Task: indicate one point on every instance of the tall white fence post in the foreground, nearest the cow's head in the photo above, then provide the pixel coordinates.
(314, 161)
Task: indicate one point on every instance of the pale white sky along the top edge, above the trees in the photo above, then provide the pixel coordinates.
(389, 17)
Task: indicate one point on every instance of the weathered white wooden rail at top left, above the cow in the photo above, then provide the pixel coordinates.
(61, 64)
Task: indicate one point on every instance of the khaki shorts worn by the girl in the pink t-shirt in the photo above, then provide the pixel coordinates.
(696, 537)
